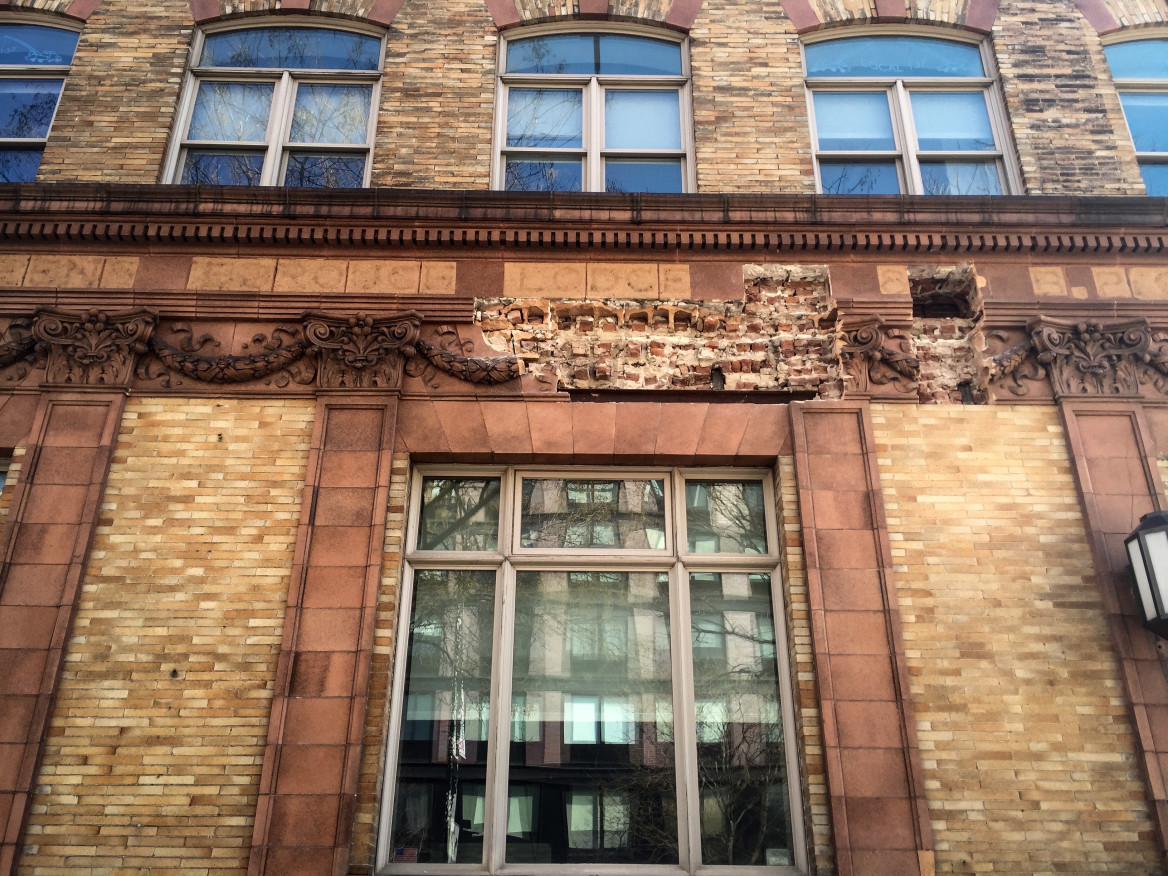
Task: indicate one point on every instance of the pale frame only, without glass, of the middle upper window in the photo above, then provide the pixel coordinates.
(593, 151)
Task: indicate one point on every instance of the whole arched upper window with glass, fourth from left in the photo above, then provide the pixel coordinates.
(906, 115)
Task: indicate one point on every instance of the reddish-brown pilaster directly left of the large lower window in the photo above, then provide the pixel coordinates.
(308, 791)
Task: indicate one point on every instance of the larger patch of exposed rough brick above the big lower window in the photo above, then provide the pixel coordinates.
(780, 336)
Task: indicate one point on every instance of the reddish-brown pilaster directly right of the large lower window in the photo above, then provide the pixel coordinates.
(874, 773)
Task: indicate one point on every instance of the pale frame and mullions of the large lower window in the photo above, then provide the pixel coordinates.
(678, 564)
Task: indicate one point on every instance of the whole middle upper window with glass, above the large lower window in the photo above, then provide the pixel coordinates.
(594, 113)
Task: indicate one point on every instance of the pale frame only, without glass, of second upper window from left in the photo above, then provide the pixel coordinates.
(280, 121)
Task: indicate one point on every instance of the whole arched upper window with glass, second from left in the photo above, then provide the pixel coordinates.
(289, 106)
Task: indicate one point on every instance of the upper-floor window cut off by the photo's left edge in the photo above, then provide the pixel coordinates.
(34, 61)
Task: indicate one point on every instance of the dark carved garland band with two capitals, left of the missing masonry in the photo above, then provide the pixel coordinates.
(358, 352)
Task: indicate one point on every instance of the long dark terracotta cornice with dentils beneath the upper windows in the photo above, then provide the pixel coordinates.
(699, 225)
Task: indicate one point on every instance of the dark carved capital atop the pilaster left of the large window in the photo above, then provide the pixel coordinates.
(363, 352)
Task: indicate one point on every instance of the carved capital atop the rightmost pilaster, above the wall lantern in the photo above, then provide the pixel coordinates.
(1093, 359)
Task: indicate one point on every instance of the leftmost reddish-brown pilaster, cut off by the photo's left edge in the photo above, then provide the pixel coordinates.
(44, 550)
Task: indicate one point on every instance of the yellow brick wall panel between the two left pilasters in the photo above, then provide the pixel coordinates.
(154, 756)
